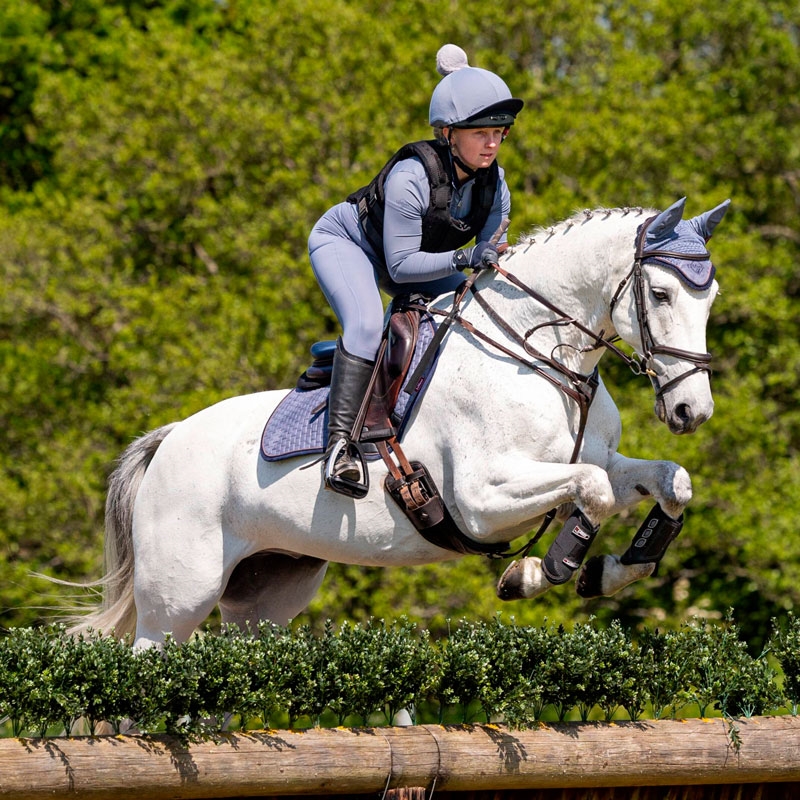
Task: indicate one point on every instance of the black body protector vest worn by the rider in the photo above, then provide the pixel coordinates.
(440, 230)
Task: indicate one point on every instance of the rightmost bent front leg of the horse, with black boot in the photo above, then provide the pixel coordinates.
(634, 479)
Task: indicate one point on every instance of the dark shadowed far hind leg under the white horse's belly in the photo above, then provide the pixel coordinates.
(270, 586)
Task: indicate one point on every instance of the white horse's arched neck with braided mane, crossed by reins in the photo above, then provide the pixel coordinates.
(577, 268)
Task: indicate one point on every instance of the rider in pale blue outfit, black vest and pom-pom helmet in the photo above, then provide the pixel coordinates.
(408, 229)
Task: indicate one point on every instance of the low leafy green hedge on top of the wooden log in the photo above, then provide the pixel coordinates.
(366, 673)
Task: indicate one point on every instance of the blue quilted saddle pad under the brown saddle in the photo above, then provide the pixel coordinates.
(299, 425)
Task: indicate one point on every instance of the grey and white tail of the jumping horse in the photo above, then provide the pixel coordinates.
(118, 612)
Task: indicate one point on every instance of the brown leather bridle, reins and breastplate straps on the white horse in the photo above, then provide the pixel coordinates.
(581, 388)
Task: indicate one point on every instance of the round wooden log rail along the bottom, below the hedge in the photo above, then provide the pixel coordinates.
(368, 761)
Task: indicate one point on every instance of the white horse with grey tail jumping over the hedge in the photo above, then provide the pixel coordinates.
(196, 517)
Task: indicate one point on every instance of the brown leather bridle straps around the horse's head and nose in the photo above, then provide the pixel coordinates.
(645, 362)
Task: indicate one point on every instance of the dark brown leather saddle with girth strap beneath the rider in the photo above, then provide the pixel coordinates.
(381, 420)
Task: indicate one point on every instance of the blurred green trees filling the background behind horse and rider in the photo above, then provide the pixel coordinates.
(161, 165)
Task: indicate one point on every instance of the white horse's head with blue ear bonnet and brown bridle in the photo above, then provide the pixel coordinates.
(671, 289)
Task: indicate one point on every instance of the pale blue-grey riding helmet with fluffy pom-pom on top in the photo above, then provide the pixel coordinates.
(469, 97)
